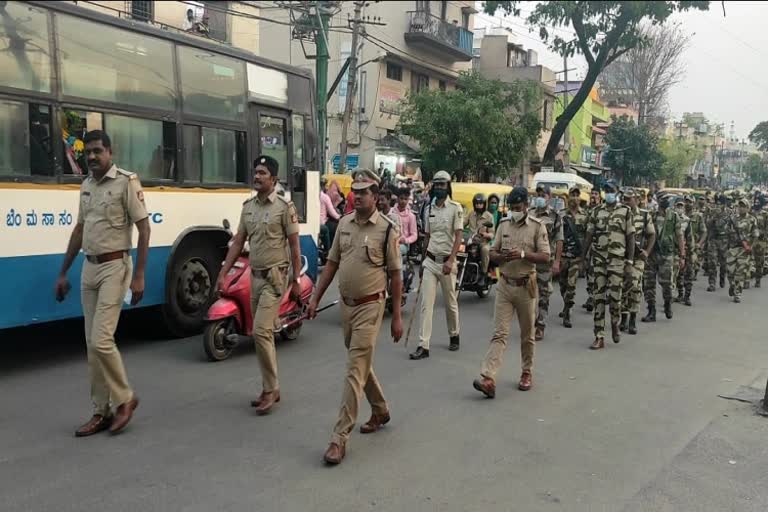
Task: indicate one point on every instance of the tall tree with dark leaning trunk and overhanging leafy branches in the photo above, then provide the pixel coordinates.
(604, 32)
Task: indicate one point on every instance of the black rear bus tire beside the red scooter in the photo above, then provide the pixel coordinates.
(191, 287)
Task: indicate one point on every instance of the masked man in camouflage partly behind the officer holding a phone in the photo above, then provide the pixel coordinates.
(544, 271)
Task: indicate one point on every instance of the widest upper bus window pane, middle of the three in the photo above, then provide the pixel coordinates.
(115, 65)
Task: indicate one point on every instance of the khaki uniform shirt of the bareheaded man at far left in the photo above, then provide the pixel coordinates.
(108, 210)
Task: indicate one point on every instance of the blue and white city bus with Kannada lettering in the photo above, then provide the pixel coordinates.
(187, 115)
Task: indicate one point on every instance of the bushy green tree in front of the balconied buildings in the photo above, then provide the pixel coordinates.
(483, 125)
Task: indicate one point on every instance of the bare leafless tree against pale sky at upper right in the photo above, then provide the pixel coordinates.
(644, 75)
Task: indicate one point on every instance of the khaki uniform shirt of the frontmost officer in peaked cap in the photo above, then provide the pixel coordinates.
(360, 247)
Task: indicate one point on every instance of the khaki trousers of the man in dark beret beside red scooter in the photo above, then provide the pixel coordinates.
(266, 293)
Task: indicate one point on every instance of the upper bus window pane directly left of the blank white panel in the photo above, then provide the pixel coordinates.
(212, 85)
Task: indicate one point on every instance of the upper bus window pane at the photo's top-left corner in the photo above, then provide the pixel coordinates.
(25, 58)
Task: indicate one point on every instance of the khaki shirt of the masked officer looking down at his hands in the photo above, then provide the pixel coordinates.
(530, 235)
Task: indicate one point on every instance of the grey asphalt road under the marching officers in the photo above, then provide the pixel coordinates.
(635, 427)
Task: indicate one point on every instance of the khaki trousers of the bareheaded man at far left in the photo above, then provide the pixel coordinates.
(102, 289)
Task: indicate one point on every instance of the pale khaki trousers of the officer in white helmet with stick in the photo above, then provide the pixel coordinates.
(433, 274)
